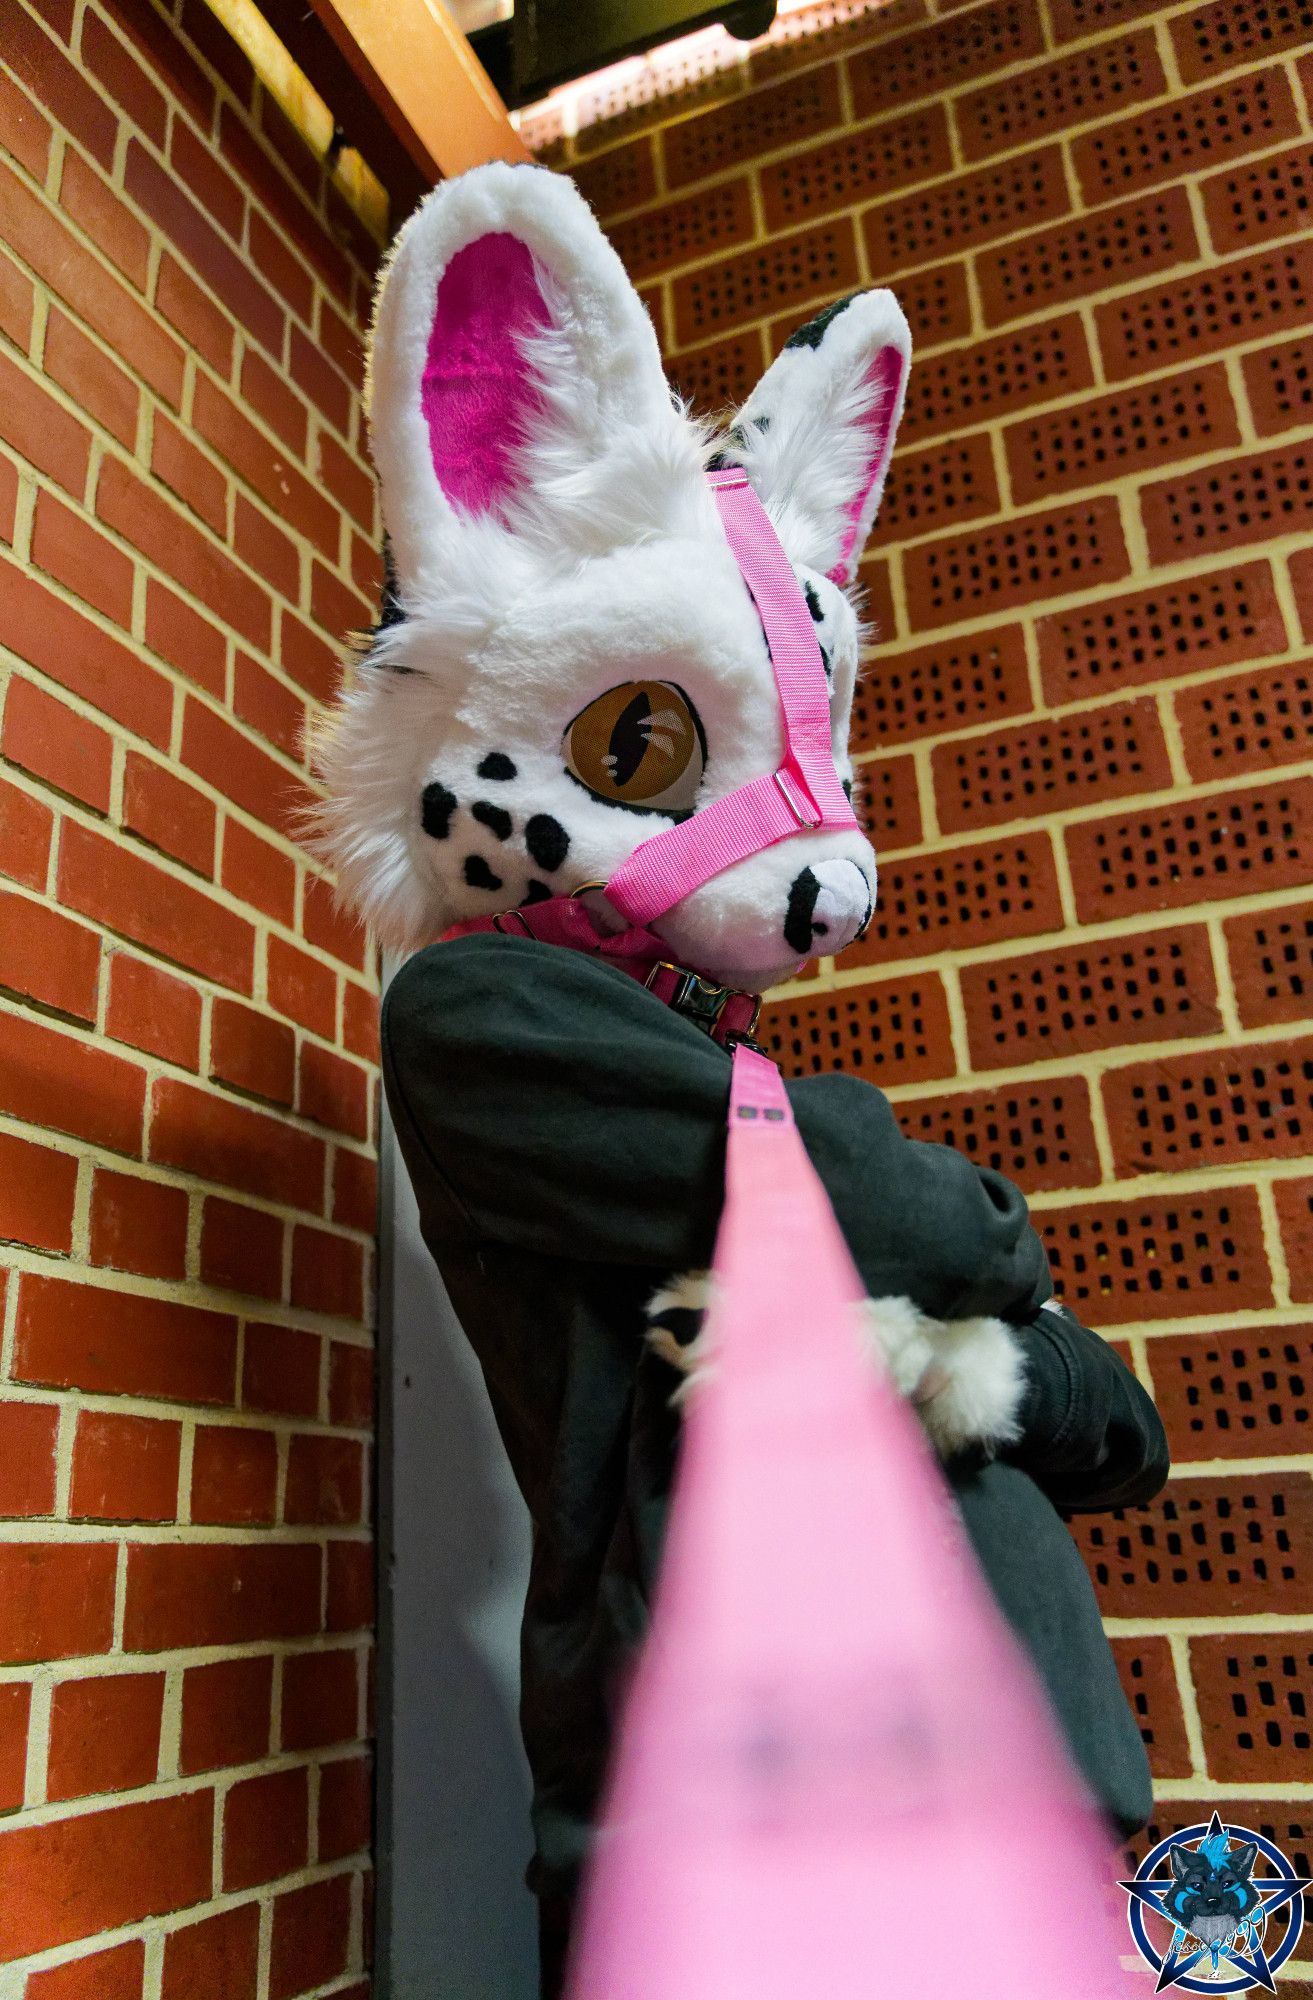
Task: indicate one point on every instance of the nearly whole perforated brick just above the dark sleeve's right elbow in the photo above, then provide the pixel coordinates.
(1158, 1257)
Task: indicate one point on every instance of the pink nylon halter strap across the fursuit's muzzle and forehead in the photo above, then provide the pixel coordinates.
(806, 791)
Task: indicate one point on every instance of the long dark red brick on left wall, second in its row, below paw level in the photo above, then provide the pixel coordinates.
(225, 1595)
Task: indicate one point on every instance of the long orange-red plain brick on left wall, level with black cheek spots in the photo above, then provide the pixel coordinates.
(139, 901)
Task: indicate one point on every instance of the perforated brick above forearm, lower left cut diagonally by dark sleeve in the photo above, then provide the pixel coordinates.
(1038, 1135)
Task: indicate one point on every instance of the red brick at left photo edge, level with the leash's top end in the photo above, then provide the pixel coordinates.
(49, 1079)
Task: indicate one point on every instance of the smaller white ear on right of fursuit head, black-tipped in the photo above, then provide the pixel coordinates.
(818, 431)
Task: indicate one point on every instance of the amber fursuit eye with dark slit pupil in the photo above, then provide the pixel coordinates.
(639, 745)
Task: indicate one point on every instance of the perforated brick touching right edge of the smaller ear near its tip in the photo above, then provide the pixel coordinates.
(998, 375)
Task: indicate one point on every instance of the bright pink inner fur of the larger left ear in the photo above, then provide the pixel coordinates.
(477, 389)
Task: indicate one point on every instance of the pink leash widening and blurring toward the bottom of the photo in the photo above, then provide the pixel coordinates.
(838, 1777)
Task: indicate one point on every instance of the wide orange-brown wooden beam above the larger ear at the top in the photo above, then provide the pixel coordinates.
(419, 71)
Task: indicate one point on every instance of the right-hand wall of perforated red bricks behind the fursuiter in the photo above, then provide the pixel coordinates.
(1086, 727)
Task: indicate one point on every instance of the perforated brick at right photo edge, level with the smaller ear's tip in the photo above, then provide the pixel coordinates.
(1204, 313)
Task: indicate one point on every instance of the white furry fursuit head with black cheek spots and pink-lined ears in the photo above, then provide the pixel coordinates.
(567, 657)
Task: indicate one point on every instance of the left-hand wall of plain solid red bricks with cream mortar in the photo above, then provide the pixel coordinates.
(187, 1033)
